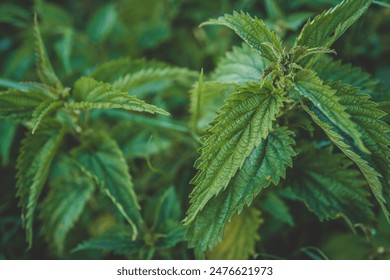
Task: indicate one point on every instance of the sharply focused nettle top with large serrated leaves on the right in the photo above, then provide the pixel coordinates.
(247, 147)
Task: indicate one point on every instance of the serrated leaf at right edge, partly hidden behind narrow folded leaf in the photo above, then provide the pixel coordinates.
(374, 166)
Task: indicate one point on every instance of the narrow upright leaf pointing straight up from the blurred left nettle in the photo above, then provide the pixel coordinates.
(45, 70)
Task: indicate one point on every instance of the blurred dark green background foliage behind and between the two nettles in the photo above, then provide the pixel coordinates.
(81, 35)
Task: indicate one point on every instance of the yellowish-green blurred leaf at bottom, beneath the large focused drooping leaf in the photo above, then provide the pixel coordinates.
(240, 237)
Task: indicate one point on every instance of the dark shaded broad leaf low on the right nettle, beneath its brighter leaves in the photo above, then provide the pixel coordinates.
(329, 186)
